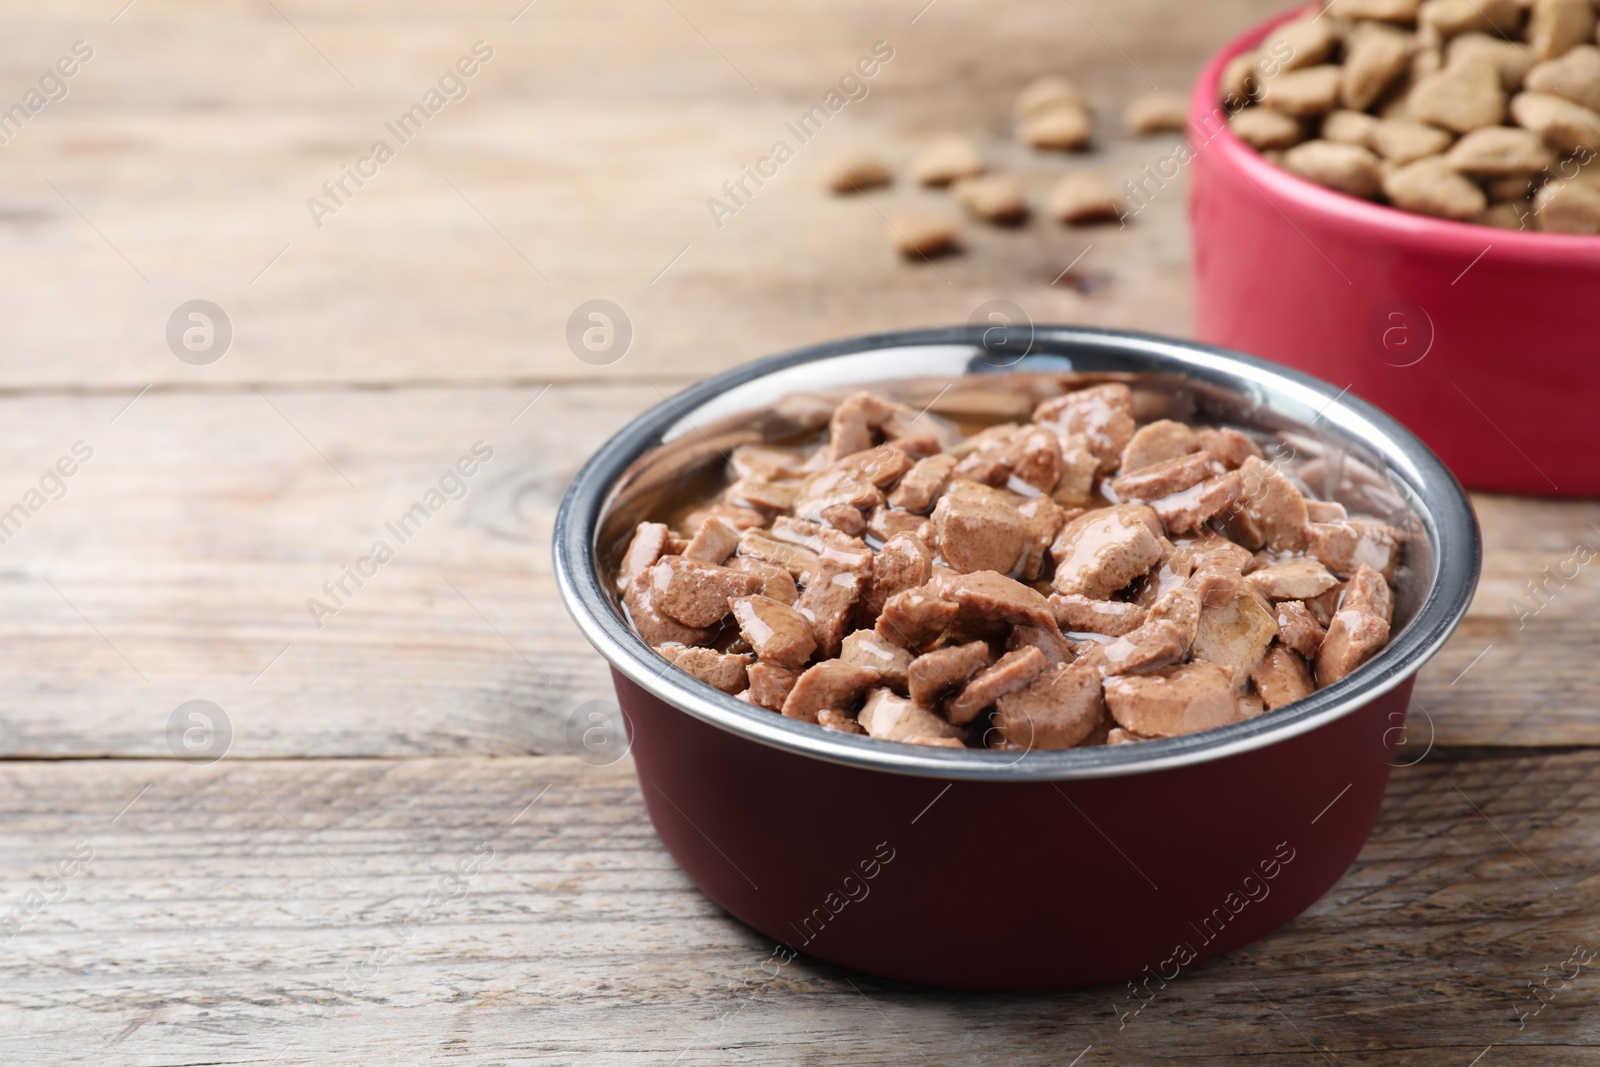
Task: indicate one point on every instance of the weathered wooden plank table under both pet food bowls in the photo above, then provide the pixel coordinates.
(166, 913)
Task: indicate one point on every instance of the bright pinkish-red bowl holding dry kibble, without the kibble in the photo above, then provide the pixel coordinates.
(1481, 340)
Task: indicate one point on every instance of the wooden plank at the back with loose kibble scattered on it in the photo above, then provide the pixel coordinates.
(578, 167)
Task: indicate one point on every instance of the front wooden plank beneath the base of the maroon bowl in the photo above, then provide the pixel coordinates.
(223, 914)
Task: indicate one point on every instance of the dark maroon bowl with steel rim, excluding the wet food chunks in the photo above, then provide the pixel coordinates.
(1002, 871)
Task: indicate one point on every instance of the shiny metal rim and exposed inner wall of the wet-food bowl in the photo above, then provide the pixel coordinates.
(1342, 447)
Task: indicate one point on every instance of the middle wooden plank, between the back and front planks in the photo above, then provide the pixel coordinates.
(194, 538)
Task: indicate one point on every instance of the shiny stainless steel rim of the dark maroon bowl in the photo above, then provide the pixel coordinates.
(1446, 513)
